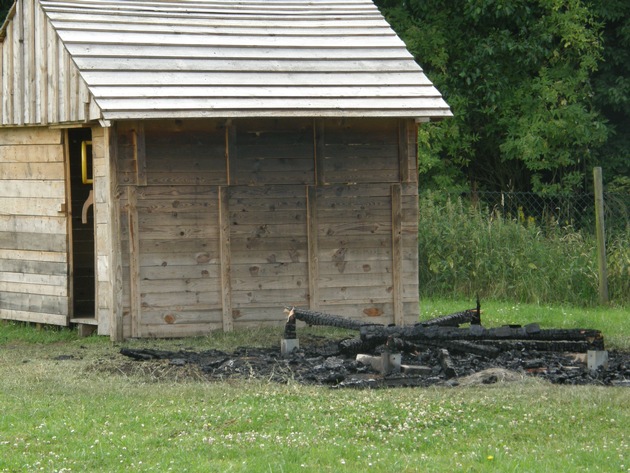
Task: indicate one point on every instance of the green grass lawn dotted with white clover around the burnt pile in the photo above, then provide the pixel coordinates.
(66, 406)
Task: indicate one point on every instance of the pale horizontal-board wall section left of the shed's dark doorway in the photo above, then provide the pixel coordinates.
(33, 226)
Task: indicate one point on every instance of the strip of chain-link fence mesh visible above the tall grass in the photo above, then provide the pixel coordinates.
(552, 211)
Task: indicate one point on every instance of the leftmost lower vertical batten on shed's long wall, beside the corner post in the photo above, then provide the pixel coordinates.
(134, 261)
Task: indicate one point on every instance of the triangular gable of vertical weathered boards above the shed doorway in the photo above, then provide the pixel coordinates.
(39, 82)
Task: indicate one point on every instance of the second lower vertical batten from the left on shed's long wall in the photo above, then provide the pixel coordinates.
(226, 259)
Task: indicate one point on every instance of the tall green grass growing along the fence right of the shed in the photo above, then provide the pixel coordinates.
(466, 250)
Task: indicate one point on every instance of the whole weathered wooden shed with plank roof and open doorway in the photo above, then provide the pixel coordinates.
(168, 168)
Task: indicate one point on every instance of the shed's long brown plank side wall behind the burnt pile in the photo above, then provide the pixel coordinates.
(224, 223)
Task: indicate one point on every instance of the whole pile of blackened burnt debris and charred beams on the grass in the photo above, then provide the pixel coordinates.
(449, 350)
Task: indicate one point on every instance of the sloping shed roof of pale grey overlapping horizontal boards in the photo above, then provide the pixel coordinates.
(225, 58)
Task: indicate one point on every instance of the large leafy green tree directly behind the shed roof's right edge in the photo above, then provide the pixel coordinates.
(517, 75)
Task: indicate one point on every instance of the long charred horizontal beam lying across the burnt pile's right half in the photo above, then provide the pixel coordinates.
(379, 334)
